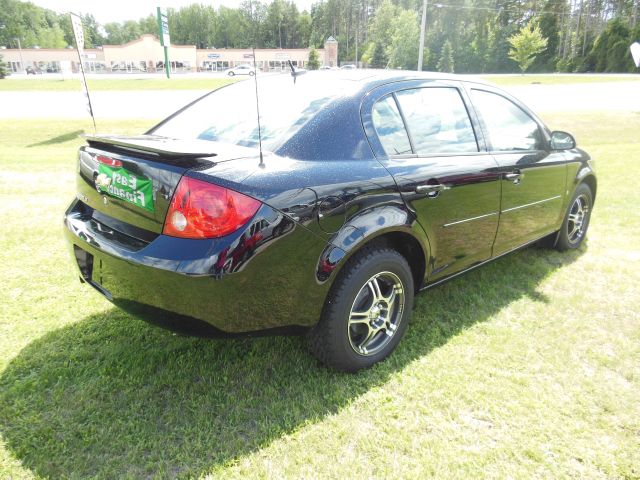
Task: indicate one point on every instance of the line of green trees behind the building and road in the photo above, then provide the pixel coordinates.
(464, 36)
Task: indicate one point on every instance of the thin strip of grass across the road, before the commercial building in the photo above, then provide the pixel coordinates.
(73, 84)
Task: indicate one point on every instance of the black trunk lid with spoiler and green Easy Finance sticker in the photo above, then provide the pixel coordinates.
(129, 181)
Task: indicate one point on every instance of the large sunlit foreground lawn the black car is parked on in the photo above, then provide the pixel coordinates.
(526, 368)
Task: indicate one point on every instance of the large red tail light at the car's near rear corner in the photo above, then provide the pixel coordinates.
(202, 210)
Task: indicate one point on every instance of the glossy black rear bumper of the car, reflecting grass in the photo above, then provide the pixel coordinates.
(244, 282)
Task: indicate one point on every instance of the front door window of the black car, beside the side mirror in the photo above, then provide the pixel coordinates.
(507, 125)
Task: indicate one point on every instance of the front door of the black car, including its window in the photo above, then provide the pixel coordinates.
(533, 176)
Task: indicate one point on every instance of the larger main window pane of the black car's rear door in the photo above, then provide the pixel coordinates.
(437, 120)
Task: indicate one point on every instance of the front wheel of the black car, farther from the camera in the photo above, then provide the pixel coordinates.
(571, 233)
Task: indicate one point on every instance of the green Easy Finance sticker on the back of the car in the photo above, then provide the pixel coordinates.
(124, 185)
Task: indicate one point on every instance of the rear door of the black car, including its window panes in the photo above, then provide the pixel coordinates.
(425, 137)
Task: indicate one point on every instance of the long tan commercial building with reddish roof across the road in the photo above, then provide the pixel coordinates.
(146, 55)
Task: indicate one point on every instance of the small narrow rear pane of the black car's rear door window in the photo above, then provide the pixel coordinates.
(390, 128)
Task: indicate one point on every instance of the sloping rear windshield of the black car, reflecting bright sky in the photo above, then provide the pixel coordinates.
(229, 115)
